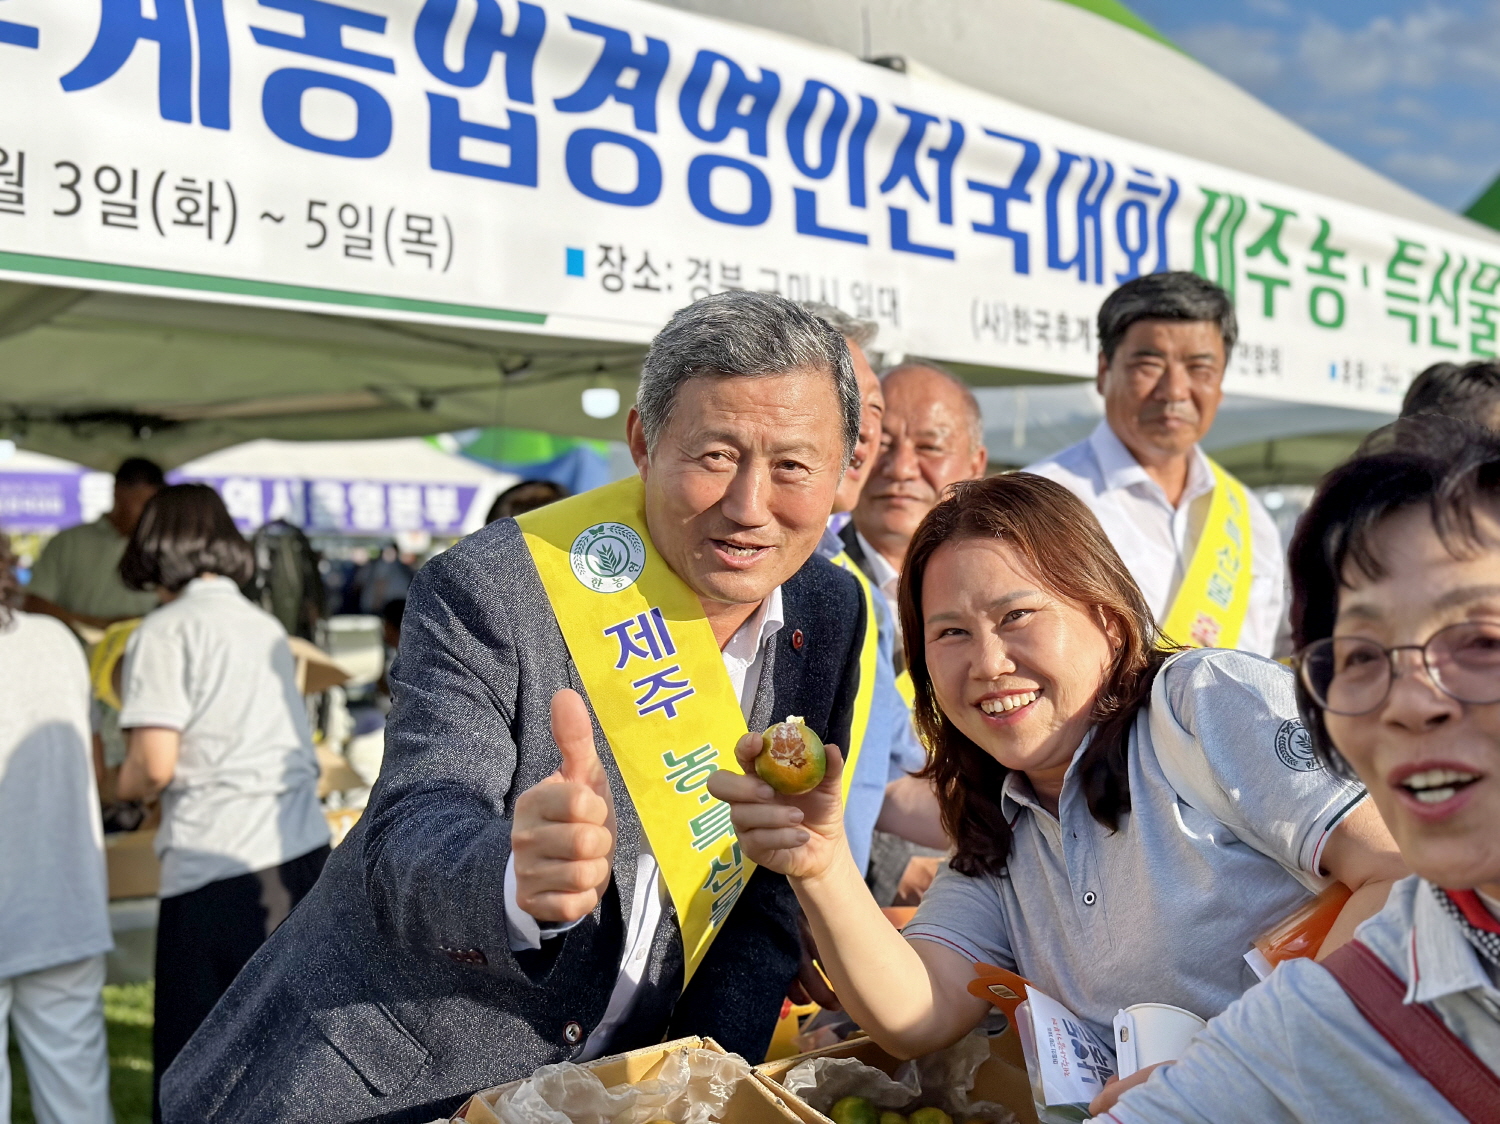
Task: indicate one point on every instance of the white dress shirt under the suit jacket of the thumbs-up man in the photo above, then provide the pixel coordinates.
(745, 657)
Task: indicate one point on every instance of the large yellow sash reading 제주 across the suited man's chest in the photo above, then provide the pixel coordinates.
(658, 684)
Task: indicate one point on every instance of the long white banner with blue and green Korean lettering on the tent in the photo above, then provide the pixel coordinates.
(587, 169)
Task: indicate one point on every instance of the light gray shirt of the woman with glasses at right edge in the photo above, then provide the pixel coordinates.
(1298, 1050)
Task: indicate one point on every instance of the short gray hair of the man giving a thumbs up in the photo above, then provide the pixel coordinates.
(743, 335)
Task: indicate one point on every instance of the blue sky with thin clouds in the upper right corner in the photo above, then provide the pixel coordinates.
(1411, 88)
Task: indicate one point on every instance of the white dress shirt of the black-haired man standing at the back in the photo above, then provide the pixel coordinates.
(1156, 539)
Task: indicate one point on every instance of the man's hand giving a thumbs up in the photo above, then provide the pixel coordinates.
(563, 835)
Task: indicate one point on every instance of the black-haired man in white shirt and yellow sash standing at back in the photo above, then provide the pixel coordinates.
(1198, 542)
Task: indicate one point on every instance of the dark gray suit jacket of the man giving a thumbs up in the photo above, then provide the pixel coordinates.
(392, 993)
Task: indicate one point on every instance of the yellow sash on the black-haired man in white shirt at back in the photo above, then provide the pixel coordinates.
(1214, 598)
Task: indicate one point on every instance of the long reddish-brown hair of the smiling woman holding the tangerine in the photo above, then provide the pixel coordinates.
(1067, 550)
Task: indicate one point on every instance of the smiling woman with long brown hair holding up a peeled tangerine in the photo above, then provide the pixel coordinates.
(1127, 822)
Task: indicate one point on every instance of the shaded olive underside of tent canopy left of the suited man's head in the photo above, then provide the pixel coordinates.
(98, 376)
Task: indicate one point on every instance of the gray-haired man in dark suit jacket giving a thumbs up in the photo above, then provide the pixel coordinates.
(500, 906)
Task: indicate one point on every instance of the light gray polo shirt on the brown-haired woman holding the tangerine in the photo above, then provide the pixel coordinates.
(1165, 909)
